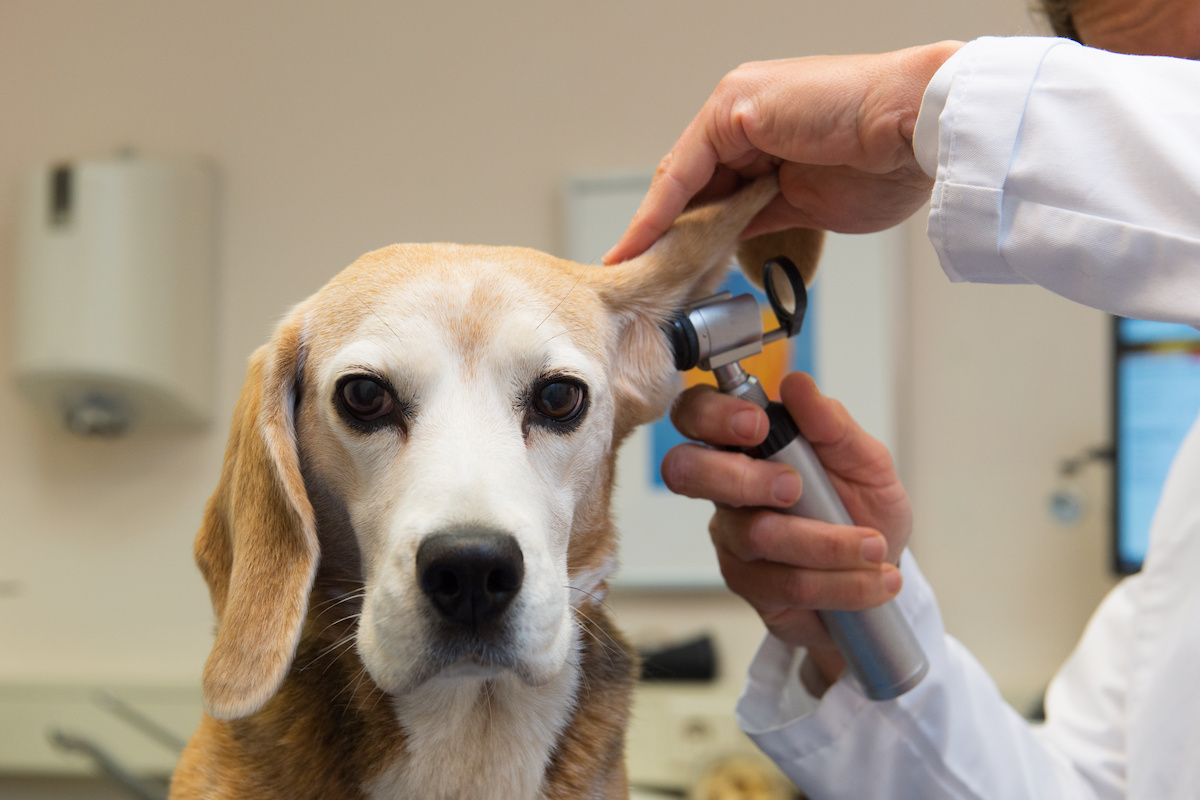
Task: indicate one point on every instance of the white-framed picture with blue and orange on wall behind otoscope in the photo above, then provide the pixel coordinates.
(850, 347)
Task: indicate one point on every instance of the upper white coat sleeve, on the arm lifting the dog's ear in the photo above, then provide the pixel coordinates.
(1069, 167)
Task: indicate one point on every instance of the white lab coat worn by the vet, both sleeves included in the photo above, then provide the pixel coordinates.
(1079, 171)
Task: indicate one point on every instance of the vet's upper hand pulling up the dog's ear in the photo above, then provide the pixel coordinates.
(837, 129)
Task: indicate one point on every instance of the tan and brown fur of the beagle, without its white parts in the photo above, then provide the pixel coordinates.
(292, 712)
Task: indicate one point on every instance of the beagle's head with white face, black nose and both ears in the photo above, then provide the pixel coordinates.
(437, 429)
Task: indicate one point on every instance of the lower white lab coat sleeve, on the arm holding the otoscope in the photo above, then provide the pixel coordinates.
(951, 737)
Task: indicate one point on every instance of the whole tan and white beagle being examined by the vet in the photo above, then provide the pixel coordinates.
(409, 548)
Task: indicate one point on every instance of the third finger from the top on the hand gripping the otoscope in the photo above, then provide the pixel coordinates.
(765, 536)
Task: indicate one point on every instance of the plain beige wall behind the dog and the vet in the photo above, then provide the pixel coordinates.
(340, 128)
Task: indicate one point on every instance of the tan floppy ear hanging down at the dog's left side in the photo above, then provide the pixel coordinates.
(257, 546)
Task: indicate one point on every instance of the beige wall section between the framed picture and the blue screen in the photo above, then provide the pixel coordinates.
(1006, 383)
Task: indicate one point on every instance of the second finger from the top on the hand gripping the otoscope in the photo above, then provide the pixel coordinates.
(729, 478)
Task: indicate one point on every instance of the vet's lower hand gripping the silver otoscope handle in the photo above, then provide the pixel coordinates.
(787, 567)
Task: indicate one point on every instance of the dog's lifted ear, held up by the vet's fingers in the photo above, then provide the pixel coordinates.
(688, 263)
